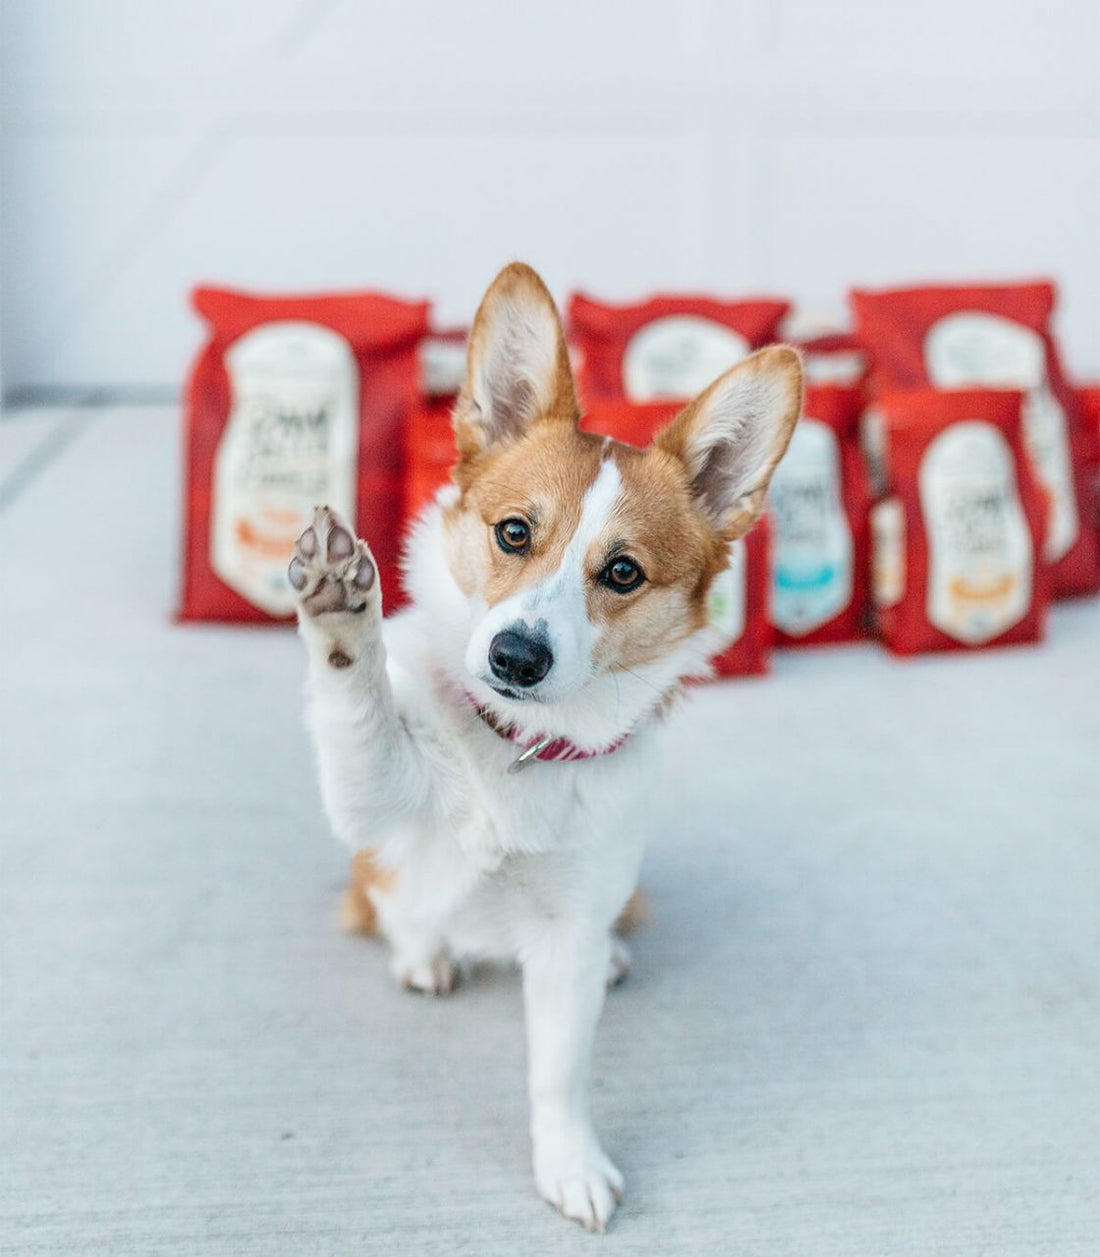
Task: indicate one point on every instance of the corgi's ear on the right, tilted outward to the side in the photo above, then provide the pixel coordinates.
(734, 436)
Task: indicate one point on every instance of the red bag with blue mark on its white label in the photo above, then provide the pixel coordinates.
(819, 501)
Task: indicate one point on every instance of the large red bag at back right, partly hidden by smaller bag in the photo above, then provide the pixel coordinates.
(996, 336)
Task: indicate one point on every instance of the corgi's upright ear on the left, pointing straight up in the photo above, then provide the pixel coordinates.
(517, 365)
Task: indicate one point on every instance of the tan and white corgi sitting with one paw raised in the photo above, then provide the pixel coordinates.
(481, 751)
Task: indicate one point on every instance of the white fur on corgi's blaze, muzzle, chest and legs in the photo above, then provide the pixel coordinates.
(532, 867)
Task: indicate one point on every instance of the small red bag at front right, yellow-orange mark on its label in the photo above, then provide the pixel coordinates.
(959, 537)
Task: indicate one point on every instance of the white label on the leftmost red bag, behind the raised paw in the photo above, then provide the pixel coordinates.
(290, 444)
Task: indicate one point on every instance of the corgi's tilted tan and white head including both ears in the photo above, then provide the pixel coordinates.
(583, 559)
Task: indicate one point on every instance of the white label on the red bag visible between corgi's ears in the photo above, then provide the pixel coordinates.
(679, 356)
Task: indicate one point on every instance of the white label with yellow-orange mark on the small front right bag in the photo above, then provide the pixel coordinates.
(980, 554)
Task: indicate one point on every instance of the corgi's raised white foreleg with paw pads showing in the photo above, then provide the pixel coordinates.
(370, 767)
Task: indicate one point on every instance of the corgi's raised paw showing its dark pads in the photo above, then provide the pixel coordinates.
(333, 571)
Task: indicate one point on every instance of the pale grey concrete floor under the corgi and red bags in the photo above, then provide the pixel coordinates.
(866, 1011)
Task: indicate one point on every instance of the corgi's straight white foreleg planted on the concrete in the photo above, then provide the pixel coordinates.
(564, 985)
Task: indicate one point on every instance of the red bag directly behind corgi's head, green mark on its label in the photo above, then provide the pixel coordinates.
(739, 600)
